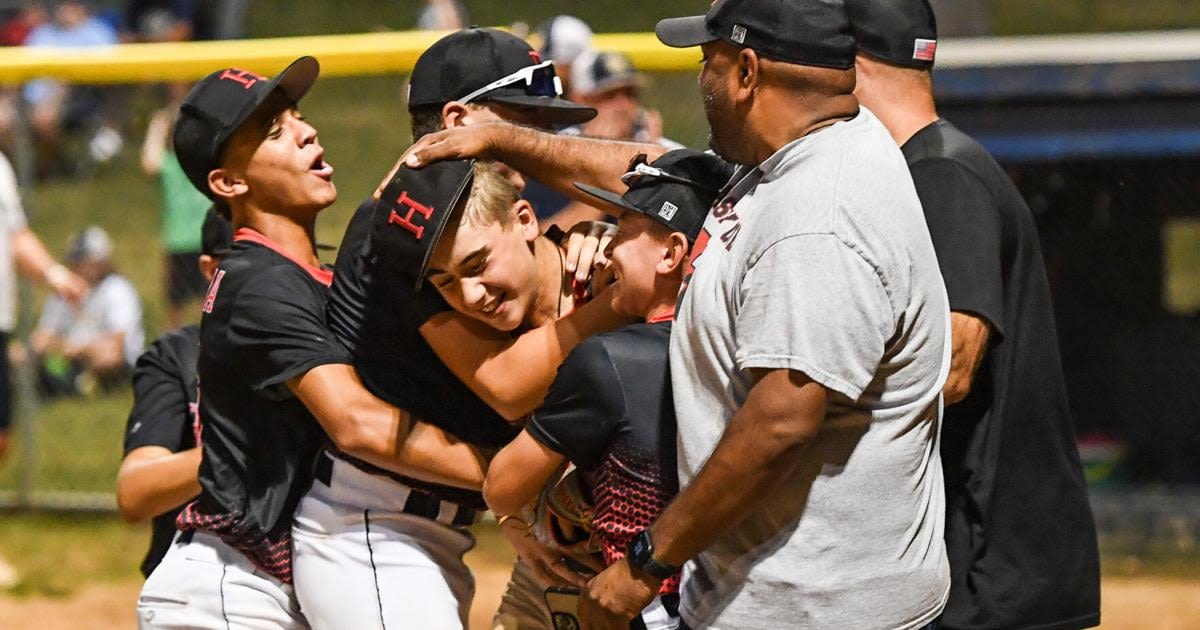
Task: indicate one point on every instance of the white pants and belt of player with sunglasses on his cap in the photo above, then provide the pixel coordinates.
(362, 563)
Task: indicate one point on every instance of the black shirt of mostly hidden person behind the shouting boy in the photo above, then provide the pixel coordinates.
(165, 415)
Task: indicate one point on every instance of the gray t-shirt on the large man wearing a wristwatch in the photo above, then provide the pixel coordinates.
(820, 262)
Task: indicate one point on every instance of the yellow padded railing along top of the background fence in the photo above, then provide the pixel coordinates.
(340, 56)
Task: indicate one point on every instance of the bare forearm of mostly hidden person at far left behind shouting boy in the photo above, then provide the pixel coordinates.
(149, 487)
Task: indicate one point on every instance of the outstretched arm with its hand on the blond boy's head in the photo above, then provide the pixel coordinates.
(557, 161)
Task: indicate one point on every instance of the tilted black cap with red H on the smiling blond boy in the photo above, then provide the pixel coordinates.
(413, 212)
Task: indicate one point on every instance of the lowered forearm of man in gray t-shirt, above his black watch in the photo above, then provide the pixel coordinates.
(760, 449)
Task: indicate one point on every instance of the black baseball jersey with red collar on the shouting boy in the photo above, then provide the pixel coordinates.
(263, 323)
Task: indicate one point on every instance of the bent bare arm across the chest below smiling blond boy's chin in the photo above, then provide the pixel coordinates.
(512, 375)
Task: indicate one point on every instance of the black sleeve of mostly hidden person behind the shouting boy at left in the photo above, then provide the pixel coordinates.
(161, 413)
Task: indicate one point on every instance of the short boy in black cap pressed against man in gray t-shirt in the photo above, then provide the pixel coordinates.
(609, 411)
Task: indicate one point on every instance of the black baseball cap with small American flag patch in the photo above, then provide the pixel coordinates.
(902, 33)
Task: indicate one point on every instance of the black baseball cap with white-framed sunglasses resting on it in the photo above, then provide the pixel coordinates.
(466, 62)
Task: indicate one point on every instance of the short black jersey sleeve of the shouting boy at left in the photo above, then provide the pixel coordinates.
(278, 329)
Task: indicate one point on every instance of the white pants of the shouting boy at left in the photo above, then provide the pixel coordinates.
(208, 585)
